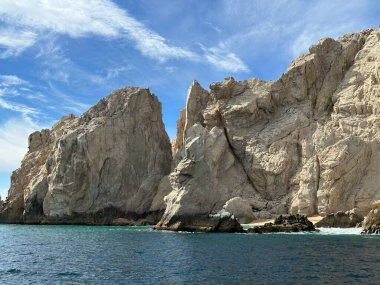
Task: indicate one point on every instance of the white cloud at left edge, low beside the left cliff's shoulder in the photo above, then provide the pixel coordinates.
(14, 141)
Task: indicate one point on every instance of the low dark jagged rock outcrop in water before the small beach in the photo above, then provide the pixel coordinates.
(285, 223)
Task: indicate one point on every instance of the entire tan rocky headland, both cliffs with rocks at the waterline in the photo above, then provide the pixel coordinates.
(306, 144)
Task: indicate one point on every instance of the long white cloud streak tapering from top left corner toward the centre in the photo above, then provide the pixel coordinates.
(85, 18)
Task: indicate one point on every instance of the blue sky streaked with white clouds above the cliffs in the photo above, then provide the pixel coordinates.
(59, 57)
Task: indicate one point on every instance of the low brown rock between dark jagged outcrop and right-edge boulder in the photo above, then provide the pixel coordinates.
(348, 219)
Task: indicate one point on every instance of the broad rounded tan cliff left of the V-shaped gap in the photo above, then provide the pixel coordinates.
(106, 164)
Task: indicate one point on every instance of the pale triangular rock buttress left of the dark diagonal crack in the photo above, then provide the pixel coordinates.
(202, 183)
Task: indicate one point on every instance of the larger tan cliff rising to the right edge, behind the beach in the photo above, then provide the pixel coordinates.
(307, 143)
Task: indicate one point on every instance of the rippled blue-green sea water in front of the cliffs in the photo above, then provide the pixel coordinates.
(139, 255)
